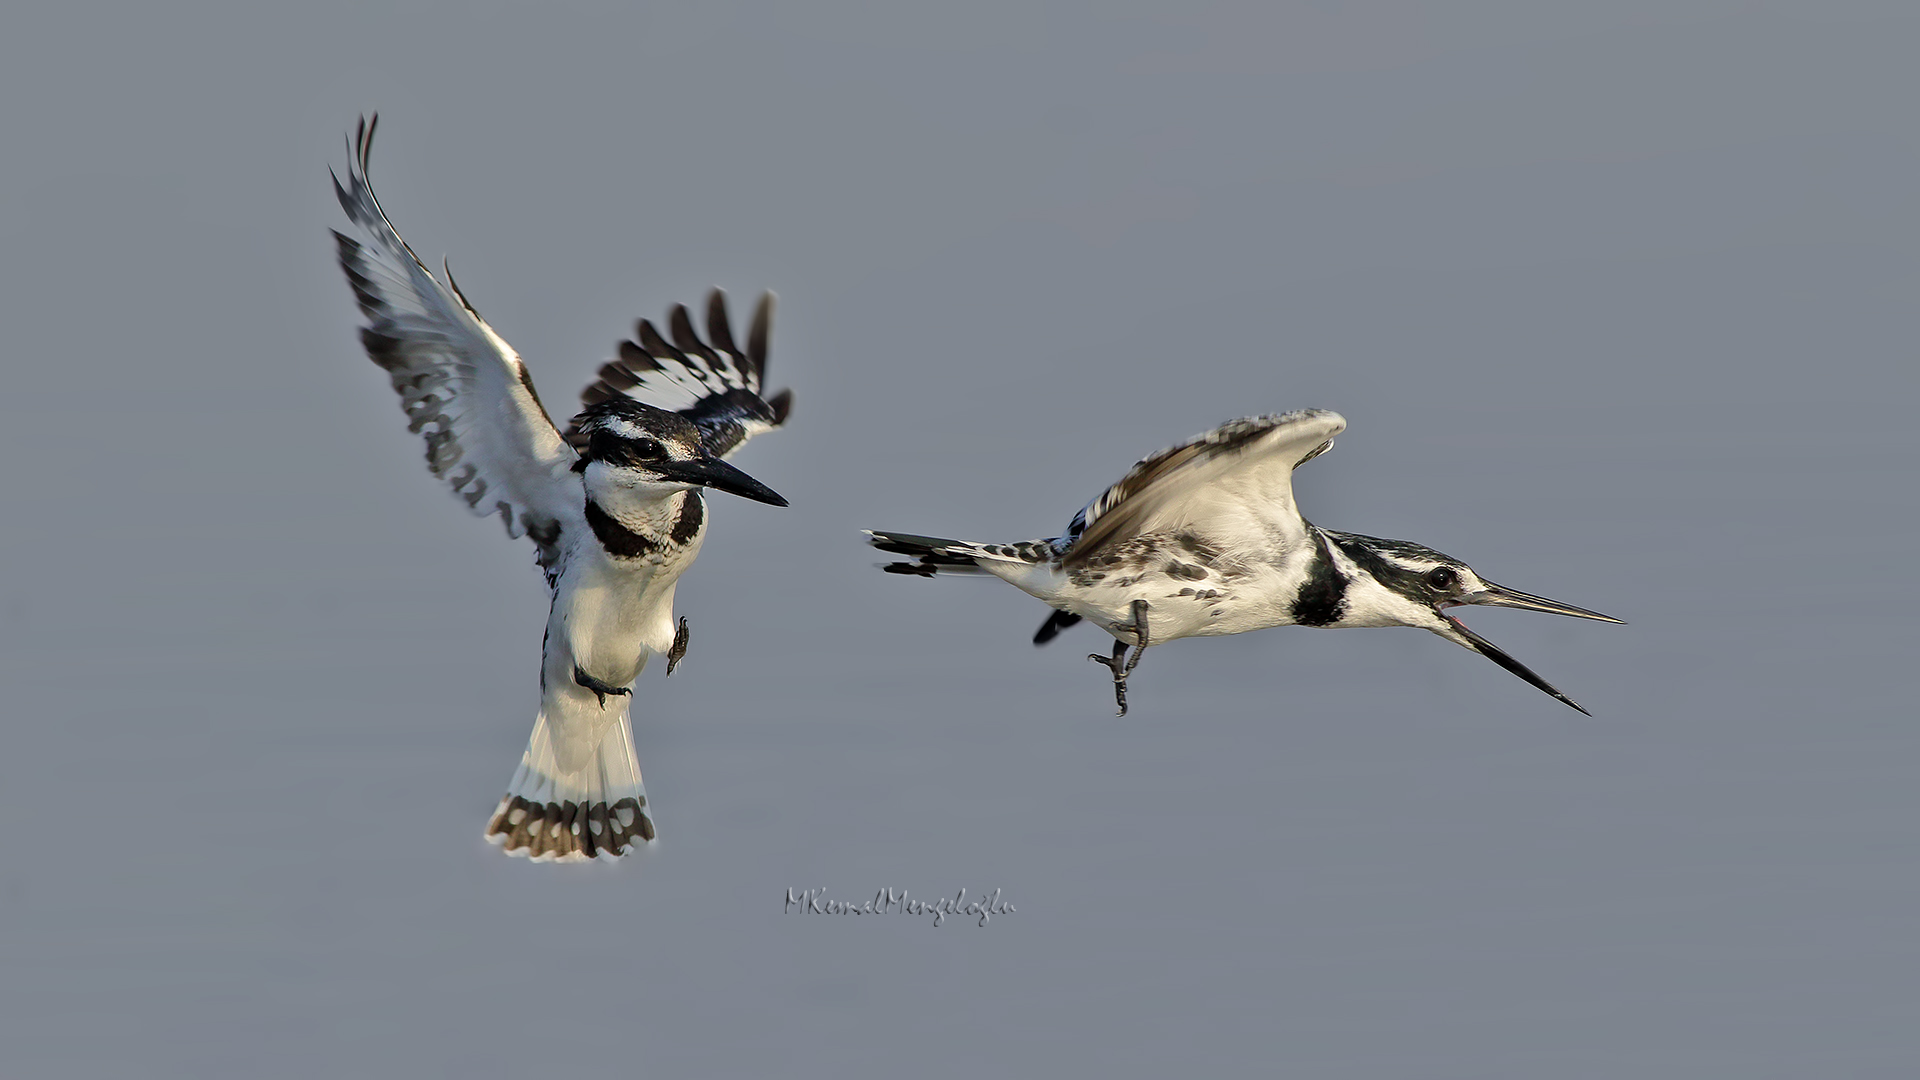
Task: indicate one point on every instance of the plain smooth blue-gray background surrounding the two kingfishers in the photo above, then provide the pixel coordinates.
(1620, 303)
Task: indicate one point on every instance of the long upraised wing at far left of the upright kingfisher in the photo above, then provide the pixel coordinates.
(462, 385)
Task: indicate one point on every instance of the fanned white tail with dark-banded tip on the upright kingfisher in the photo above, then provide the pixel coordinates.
(571, 818)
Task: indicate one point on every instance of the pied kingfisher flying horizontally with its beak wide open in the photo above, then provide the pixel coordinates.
(1205, 539)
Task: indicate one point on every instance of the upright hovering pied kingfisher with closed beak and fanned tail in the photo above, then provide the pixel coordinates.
(613, 506)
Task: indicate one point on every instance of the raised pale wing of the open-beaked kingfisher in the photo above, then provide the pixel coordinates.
(1234, 481)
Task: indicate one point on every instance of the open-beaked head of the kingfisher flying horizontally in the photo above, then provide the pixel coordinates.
(1418, 585)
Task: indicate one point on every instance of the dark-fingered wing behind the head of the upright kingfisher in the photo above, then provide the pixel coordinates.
(711, 381)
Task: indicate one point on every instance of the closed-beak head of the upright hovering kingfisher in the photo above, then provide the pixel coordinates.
(633, 449)
